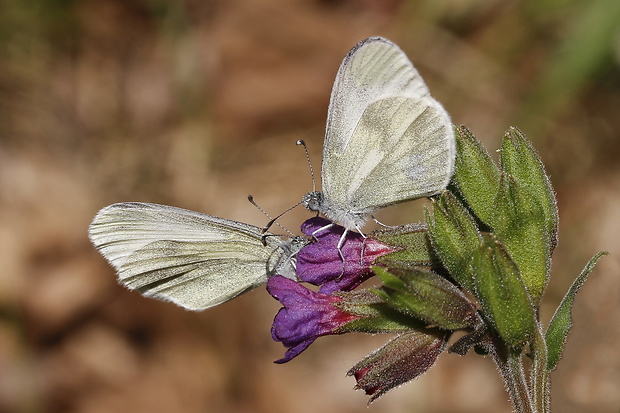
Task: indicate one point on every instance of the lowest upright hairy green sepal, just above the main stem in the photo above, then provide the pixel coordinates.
(502, 294)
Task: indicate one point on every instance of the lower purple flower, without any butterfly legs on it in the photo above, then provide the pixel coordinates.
(305, 316)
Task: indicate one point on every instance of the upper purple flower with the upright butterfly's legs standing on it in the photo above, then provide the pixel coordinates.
(320, 263)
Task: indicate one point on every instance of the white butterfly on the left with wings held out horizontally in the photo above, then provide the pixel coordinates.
(194, 260)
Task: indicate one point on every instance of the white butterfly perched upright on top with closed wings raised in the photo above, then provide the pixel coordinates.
(387, 140)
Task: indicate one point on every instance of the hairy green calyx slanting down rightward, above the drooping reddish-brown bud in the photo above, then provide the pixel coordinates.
(427, 296)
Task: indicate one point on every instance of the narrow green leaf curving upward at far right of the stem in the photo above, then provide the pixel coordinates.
(561, 323)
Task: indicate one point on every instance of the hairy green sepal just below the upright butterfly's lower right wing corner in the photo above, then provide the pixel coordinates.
(454, 234)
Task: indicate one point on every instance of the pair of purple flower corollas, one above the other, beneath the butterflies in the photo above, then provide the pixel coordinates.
(307, 314)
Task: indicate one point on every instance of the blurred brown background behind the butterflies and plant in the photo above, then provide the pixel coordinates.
(197, 104)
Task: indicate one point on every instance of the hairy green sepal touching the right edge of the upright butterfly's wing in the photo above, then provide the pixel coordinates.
(476, 176)
